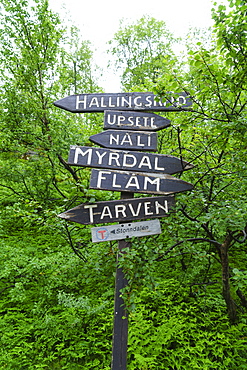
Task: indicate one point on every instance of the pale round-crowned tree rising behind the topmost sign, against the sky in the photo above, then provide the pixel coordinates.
(143, 50)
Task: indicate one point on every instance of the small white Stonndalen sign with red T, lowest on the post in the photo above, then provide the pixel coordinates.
(122, 231)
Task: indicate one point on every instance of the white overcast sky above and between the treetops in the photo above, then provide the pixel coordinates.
(98, 20)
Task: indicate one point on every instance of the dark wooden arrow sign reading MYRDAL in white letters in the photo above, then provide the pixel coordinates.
(125, 160)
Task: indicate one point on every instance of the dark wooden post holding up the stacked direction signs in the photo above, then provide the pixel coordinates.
(120, 325)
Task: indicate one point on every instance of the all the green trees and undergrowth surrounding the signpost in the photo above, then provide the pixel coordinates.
(187, 287)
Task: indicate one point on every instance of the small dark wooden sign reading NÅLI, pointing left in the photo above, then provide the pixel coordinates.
(132, 140)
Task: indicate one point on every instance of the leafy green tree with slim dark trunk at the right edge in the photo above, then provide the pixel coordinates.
(218, 89)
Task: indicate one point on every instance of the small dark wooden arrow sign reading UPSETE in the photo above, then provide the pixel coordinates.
(122, 120)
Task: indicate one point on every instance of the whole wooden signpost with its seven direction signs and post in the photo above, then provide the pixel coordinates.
(129, 125)
